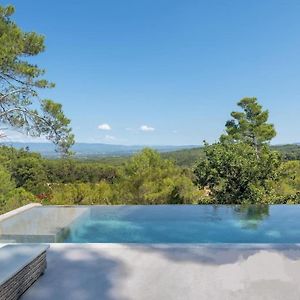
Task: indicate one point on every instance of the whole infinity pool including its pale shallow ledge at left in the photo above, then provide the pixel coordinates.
(154, 224)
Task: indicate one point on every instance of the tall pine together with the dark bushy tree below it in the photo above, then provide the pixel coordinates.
(241, 167)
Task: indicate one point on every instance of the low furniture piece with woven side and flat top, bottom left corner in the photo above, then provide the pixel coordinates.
(20, 266)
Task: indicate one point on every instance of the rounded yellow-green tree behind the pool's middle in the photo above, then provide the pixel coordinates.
(149, 179)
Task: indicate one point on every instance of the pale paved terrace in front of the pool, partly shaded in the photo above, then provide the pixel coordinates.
(159, 272)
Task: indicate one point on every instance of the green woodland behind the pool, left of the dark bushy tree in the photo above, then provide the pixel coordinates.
(146, 178)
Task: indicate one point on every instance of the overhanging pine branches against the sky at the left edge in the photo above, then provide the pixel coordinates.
(20, 83)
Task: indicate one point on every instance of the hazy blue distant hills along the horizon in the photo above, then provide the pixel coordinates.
(85, 150)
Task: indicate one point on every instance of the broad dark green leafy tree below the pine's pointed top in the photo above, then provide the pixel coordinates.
(233, 174)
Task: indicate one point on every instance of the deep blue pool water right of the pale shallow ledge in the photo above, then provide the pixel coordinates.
(189, 224)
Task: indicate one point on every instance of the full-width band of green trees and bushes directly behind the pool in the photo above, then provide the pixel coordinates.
(146, 178)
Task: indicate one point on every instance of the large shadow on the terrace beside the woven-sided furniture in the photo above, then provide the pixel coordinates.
(74, 274)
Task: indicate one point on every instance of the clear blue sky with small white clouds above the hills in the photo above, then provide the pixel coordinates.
(168, 71)
